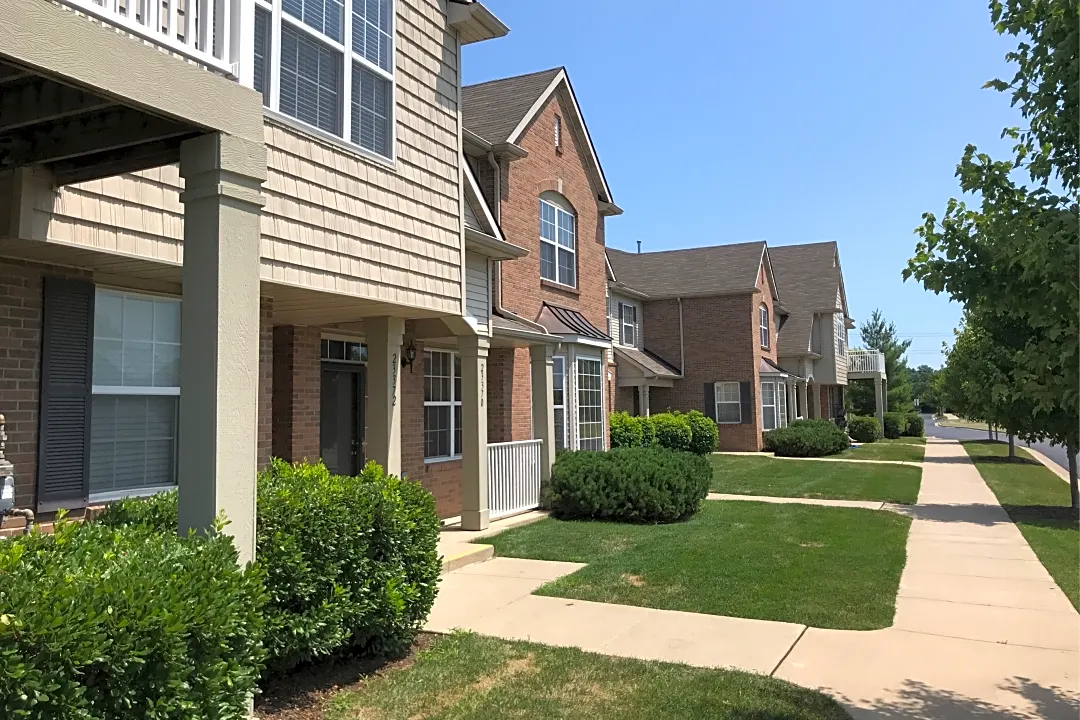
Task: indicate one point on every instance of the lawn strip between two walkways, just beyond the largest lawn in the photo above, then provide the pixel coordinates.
(748, 476)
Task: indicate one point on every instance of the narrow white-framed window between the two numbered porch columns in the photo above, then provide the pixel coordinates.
(442, 405)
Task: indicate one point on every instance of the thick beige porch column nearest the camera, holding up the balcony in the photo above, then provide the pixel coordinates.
(220, 358)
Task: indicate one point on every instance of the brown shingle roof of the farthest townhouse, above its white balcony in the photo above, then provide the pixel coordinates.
(809, 279)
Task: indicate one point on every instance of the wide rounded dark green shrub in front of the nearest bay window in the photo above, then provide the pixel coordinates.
(630, 485)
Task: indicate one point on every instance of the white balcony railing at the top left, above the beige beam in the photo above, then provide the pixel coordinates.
(202, 31)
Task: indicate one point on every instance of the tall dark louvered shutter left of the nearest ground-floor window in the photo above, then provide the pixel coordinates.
(67, 344)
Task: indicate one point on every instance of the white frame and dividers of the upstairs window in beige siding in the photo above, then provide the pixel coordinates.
(278, 16)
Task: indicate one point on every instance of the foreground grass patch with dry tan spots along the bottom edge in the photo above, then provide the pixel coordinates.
(468, 676)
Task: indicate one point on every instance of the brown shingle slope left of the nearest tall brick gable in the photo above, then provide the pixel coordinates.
(493, 110)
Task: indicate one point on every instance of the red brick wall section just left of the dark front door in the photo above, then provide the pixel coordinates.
(296, 381)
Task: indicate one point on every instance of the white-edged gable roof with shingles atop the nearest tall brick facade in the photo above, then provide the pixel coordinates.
(499, 112)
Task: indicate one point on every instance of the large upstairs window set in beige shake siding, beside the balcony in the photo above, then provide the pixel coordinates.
(333, 69)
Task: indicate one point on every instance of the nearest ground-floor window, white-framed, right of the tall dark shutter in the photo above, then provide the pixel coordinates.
(137, 388)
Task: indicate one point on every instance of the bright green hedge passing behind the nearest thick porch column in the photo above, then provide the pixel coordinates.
(350, 563)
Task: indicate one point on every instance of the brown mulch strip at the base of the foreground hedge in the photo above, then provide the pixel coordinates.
(302, 696)
